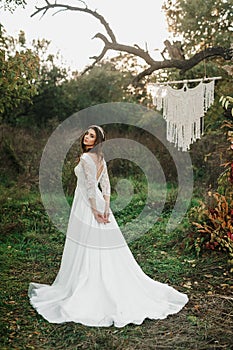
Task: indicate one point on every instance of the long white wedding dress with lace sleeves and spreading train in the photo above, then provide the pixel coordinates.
(99, 282)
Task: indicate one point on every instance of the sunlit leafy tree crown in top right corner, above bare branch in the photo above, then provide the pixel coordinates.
(201, 23)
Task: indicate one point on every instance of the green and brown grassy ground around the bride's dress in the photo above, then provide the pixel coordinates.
(31, 250)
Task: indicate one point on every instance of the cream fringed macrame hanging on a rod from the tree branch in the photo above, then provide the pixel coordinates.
(184, 109)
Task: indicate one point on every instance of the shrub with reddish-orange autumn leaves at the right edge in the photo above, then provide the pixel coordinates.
(214, 218)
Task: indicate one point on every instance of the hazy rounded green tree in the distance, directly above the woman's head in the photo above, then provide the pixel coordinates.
(104, 83)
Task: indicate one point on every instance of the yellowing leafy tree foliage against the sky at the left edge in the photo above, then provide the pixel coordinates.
(19, 72)
